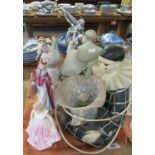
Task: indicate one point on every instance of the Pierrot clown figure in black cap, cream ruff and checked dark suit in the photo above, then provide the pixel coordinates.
(115, 71)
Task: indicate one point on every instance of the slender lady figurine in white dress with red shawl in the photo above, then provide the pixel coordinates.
(42, 84)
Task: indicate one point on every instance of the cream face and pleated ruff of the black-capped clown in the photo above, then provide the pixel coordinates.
(115, 75)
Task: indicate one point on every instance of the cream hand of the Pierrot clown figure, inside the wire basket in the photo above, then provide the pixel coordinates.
(91, 136)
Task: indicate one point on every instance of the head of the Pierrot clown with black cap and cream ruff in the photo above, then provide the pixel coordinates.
(114, 69)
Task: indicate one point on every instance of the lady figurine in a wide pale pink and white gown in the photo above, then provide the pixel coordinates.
(42, 132)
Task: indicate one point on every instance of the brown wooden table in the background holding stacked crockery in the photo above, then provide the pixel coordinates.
(101, 21)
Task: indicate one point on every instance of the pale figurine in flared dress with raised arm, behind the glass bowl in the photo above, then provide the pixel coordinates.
(71, 65)
